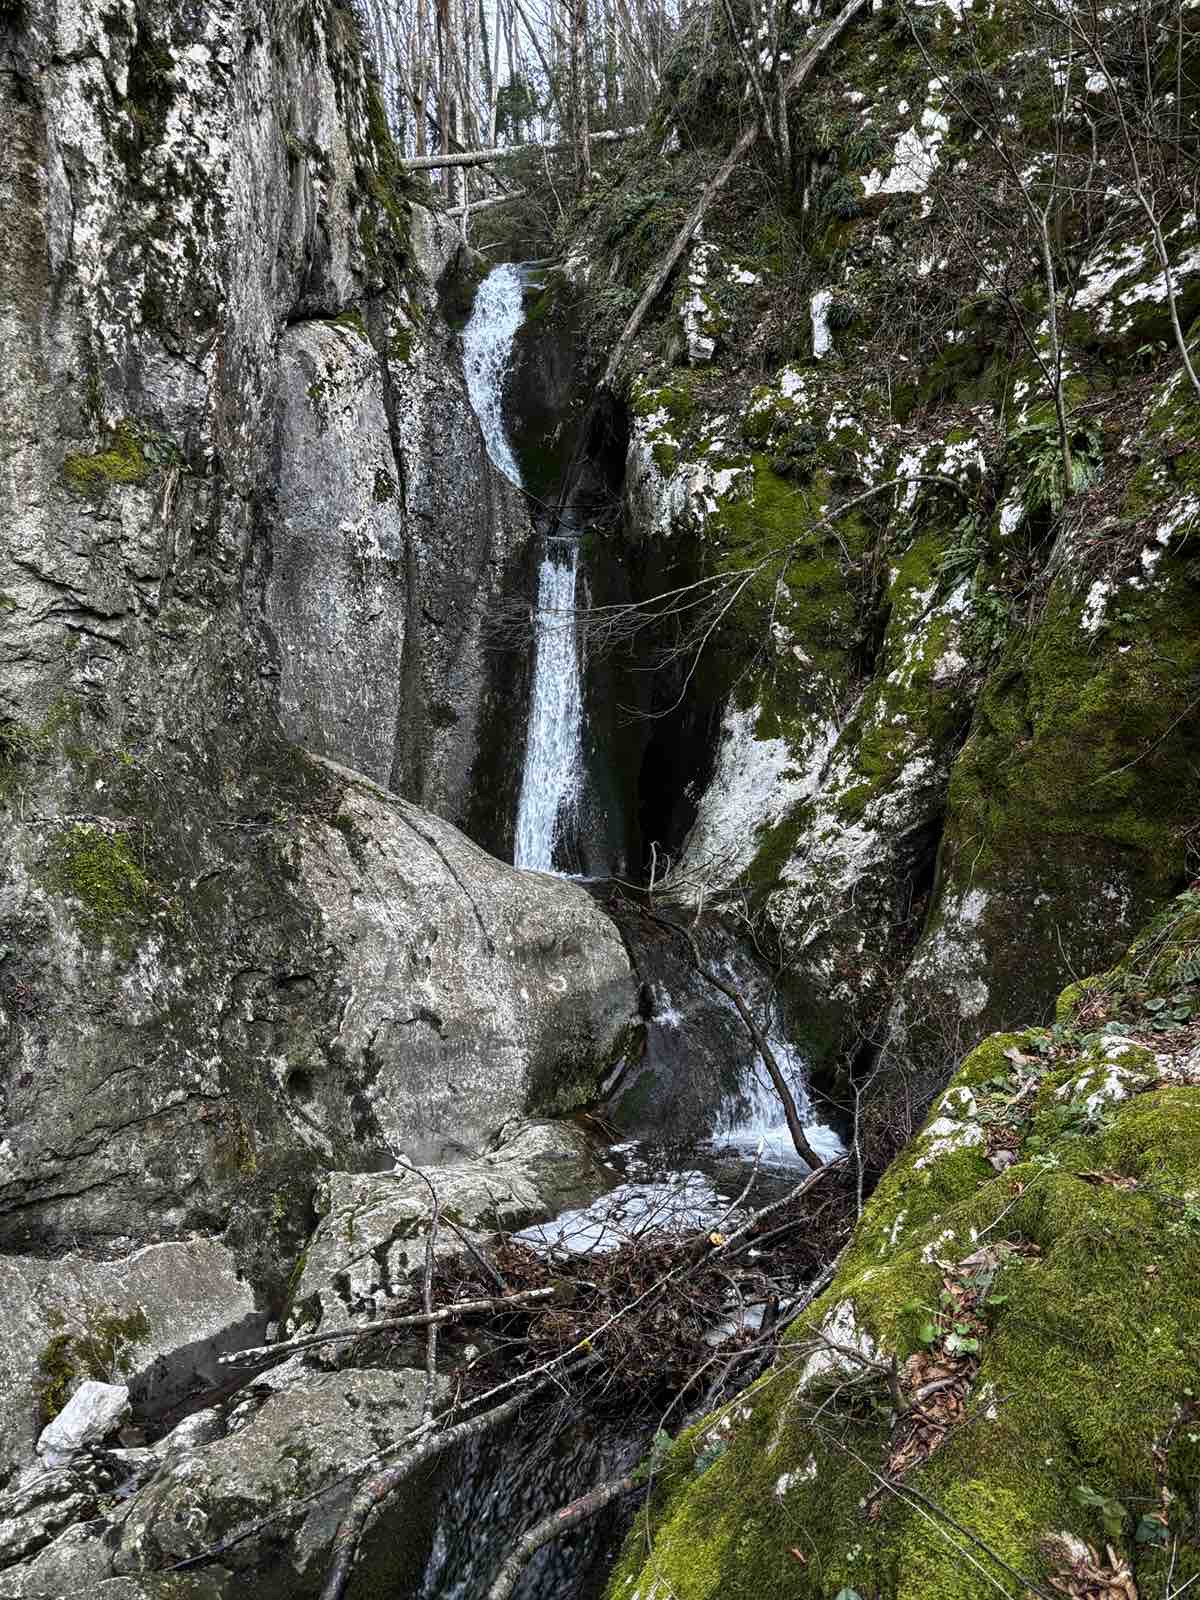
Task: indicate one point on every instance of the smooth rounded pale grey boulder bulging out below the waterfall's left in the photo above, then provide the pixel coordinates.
(478, 993)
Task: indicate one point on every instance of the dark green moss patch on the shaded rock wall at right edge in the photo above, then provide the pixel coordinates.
(1076, 780)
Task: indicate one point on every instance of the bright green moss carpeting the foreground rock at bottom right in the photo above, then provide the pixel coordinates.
(1087, 1361)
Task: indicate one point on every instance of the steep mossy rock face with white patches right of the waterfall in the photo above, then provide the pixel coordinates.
(958, 718)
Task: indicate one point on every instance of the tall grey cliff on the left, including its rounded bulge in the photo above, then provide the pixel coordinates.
(249, 526)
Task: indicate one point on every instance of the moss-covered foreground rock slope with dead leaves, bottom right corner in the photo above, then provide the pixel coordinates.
(1033, 1257)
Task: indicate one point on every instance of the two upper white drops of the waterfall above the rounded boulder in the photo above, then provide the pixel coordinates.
(554, 742)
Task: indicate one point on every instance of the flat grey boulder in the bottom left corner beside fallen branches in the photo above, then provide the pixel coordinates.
(290, 1458)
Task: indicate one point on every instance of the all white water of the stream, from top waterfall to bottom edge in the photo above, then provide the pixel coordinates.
(497, 1486)
